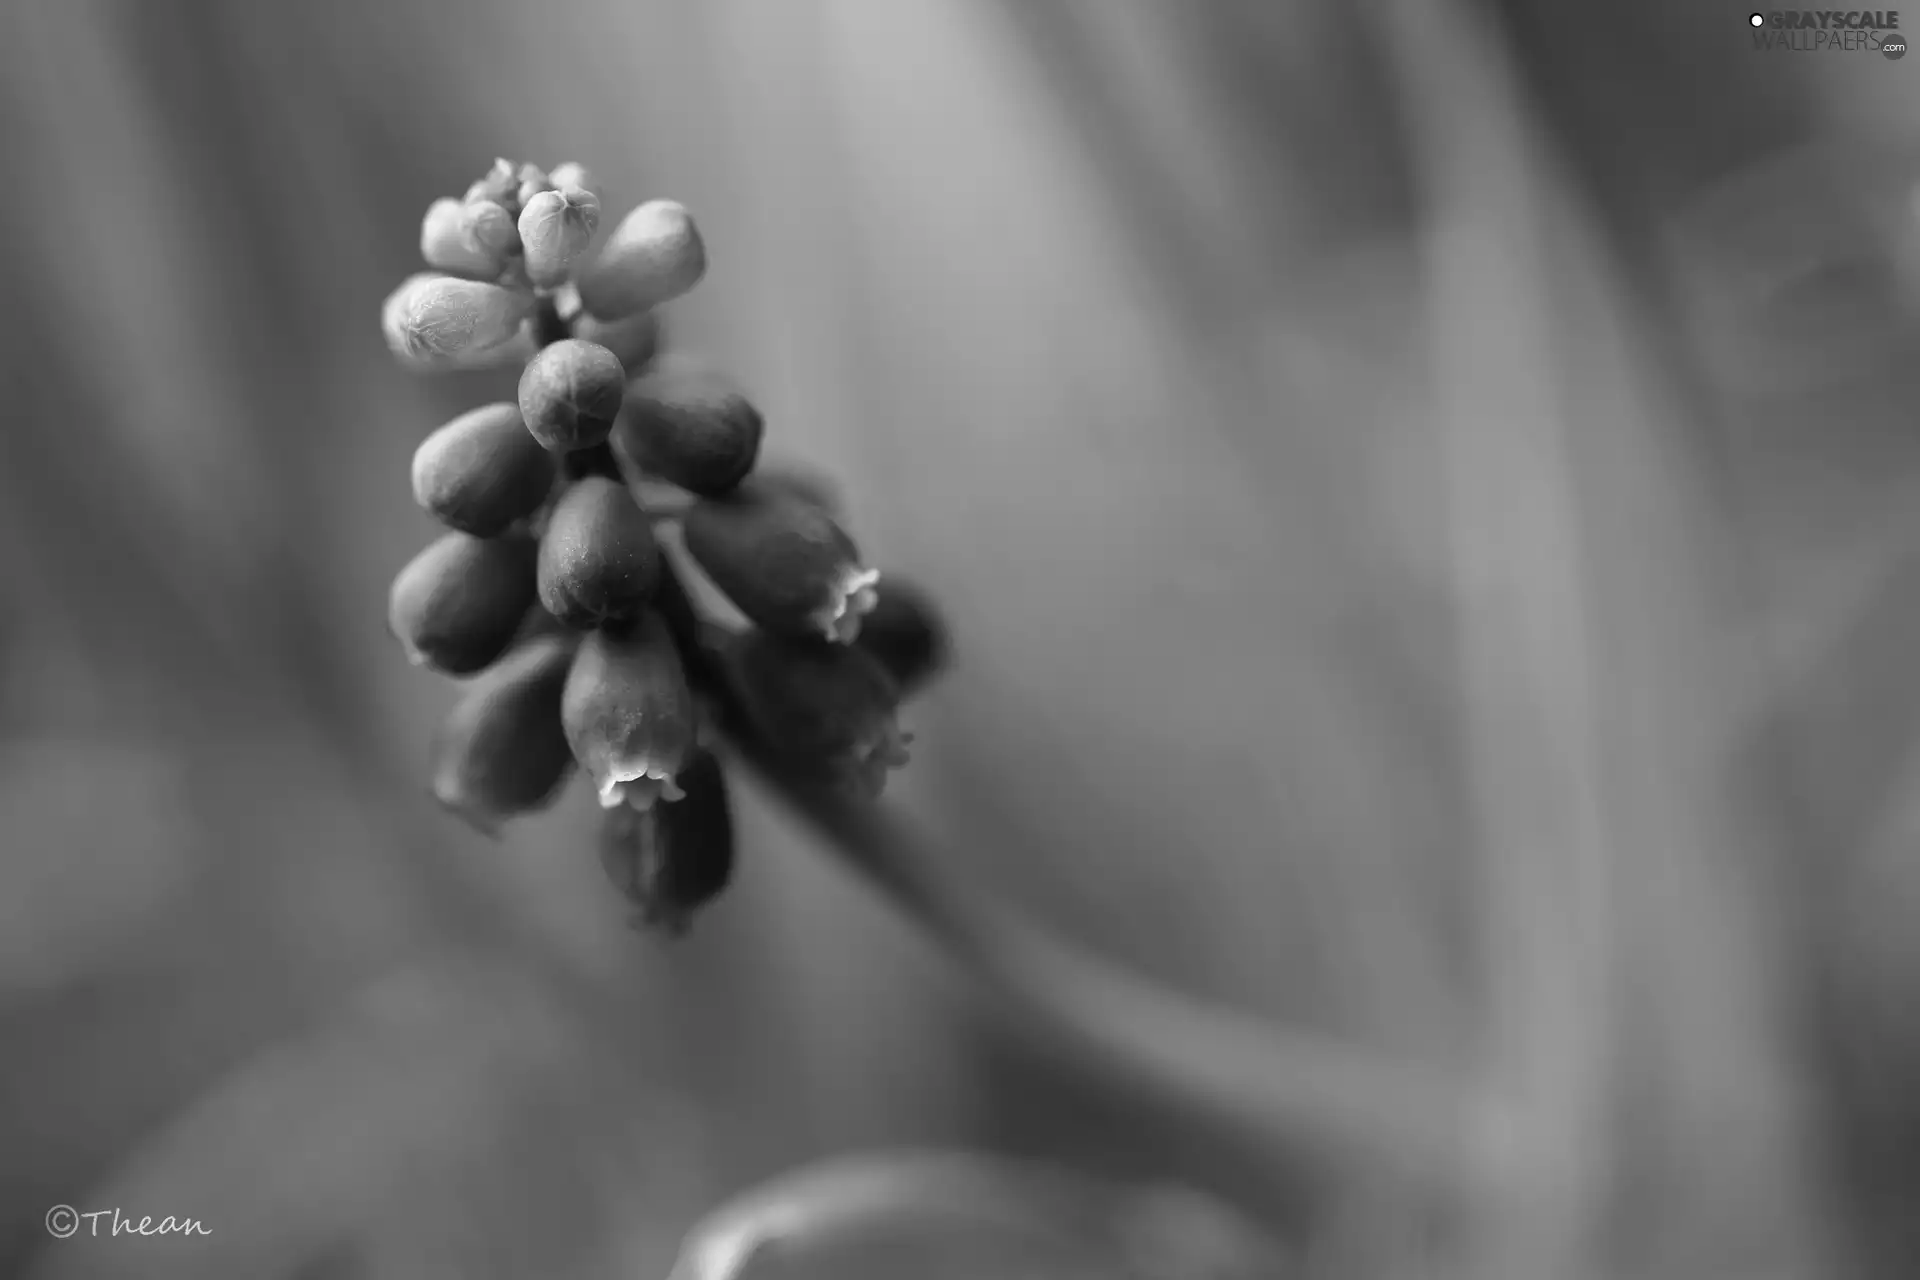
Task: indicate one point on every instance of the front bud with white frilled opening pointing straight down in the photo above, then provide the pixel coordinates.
(629, 713)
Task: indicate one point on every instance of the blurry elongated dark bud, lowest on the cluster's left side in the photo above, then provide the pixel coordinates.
(502, 749)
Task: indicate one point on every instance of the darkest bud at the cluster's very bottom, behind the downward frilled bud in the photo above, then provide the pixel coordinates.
(675, 859)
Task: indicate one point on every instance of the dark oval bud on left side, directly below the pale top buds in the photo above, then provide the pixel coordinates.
(483, 471)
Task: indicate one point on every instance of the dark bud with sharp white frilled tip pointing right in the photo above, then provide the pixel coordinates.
(784, 563)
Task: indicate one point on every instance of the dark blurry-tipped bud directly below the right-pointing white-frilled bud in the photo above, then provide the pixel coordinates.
(823, 709)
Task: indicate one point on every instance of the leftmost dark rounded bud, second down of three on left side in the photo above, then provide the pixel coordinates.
(460, 604)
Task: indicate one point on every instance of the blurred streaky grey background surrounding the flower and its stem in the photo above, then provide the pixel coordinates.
(1435, 557)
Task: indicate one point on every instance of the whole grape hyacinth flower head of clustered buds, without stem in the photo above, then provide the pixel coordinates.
(581, 515)
